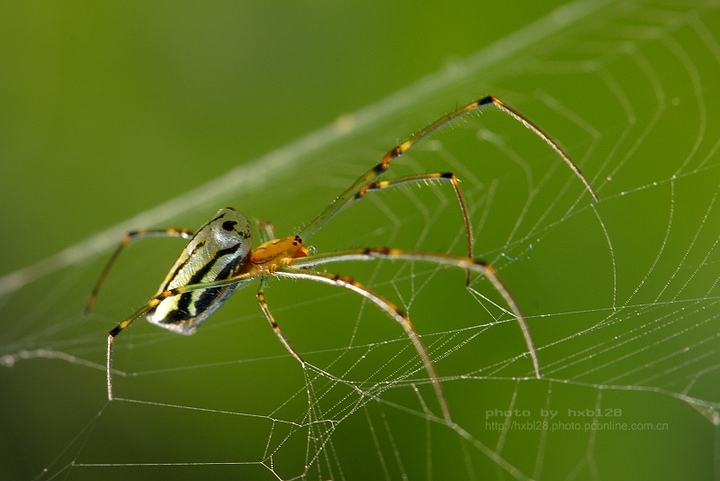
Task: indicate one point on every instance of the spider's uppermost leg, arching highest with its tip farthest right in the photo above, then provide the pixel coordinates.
(349, 195)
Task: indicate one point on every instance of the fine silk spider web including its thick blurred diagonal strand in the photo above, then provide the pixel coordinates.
(621, 295)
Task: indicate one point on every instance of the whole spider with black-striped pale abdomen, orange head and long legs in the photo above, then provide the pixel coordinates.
(219, 258)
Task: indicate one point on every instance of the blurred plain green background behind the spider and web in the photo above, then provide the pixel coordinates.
(112, 110)
